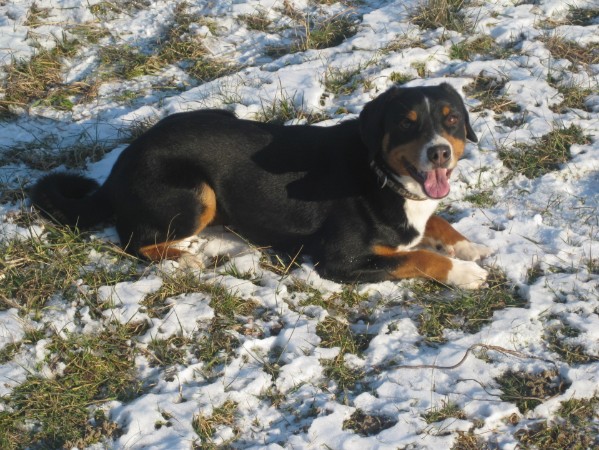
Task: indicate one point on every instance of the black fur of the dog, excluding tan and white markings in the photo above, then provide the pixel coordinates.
(288, 187)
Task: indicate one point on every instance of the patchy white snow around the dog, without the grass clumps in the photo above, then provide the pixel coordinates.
(548, 223)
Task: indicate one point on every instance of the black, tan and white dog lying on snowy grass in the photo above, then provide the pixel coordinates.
(358, 197)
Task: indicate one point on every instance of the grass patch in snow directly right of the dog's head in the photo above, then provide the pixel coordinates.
(547, 154)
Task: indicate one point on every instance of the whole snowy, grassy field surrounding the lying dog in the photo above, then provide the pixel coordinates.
(256, 351)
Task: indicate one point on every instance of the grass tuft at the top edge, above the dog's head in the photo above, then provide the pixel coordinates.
(441, 13)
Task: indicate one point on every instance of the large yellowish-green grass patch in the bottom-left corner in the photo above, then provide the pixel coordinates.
(54, 412)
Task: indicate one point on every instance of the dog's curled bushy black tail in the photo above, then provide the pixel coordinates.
(71, 199)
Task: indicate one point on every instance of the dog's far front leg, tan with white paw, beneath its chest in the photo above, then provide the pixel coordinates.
(441, 236)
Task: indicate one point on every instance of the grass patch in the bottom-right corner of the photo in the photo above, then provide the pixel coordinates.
(575, 427)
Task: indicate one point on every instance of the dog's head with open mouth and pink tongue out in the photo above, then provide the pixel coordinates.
(419, 133)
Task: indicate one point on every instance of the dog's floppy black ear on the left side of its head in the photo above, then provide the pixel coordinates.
(372, 128)
